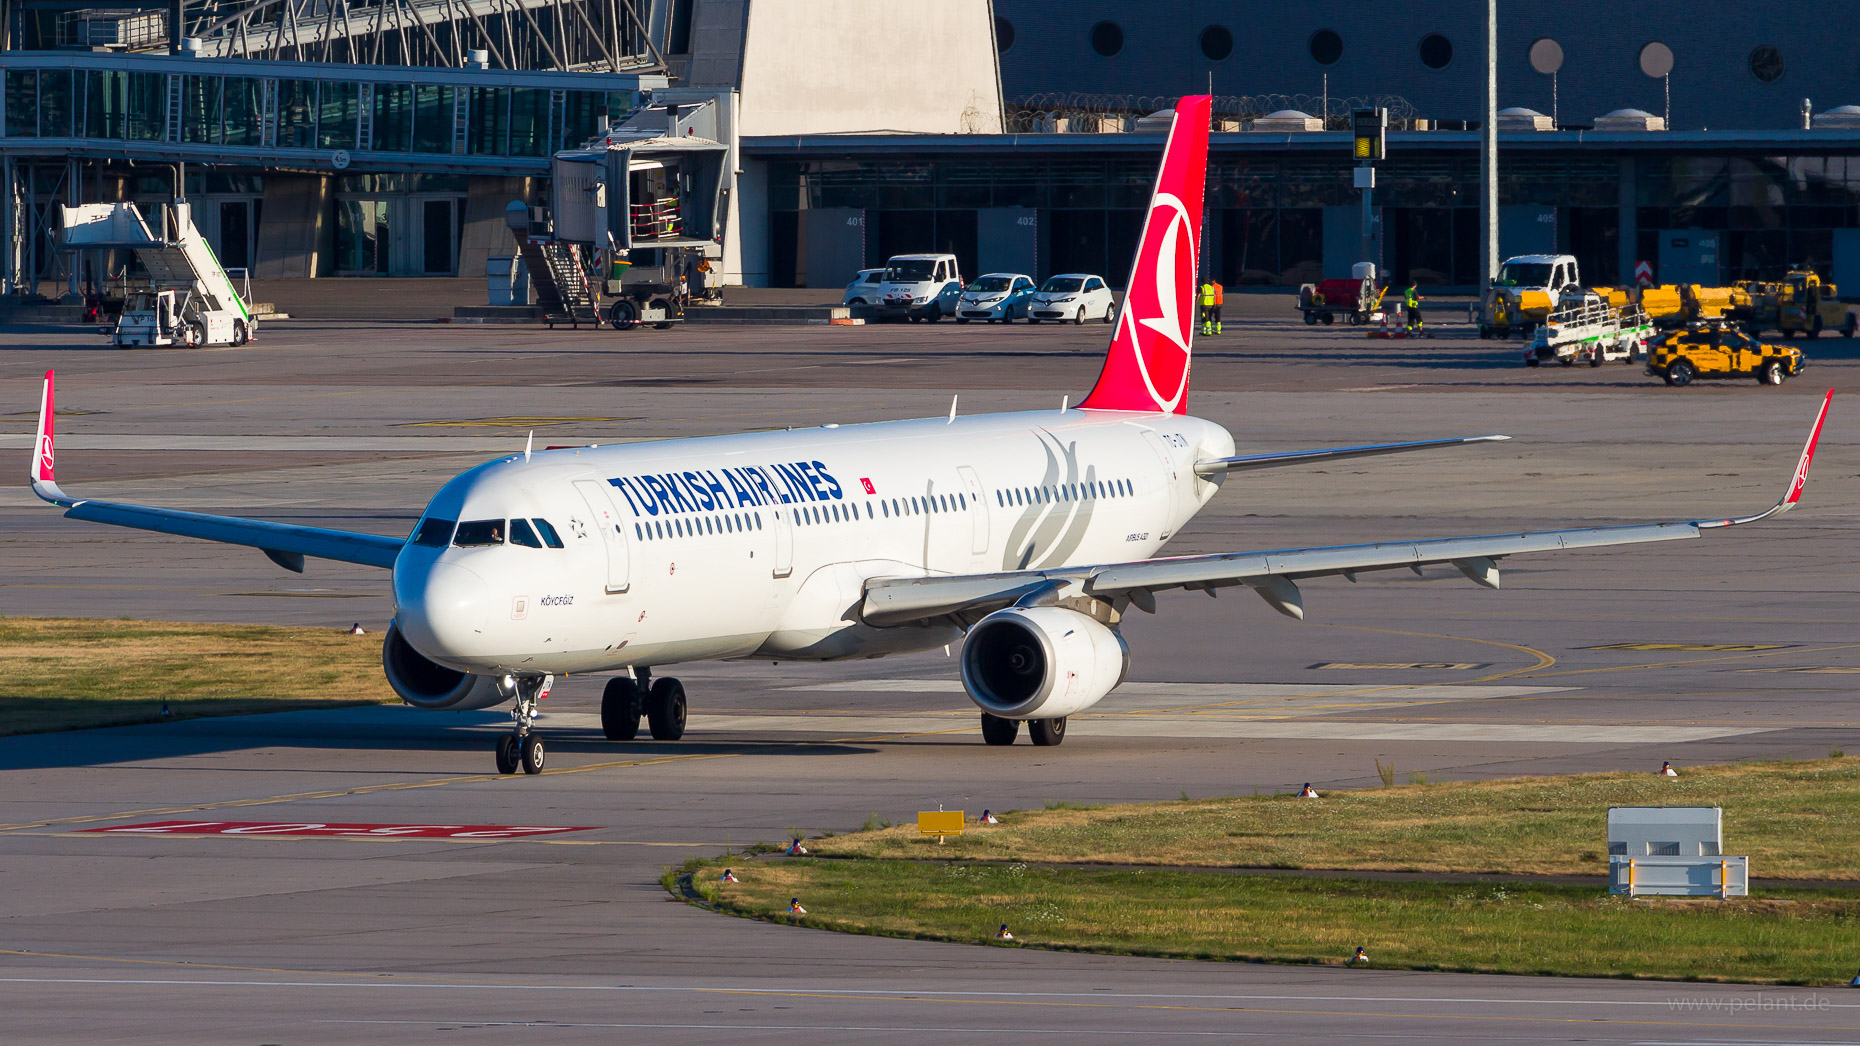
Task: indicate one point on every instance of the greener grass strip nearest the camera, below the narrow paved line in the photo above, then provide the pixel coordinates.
(1788, 937)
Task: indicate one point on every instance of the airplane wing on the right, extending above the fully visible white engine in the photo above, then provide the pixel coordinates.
(1273, 574)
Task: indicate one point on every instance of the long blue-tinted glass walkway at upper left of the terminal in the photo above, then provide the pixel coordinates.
(299, 113)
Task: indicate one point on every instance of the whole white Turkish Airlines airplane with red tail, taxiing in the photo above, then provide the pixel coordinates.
(1024, 537)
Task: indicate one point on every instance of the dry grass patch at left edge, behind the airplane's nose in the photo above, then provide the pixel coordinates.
(77, 673)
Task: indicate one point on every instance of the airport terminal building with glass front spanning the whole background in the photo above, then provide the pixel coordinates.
(386, 137)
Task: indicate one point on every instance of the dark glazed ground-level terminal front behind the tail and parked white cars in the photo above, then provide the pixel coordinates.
(1268, 215)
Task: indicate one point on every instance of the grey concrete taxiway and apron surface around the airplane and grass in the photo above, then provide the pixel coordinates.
(1740, 645)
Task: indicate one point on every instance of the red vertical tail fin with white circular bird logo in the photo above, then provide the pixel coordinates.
(1149, 364)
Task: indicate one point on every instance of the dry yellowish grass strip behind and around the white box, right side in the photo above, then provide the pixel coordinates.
(1796, 820)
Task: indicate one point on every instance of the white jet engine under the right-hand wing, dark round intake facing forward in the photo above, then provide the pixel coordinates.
(1041, 662)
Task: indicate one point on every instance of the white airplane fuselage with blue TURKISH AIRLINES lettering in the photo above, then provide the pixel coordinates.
(760, 544)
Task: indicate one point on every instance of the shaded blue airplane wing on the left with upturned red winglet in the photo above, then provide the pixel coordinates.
(284, 543)
